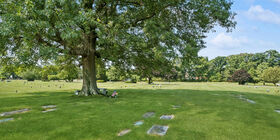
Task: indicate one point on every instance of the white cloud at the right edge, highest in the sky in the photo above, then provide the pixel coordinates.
(257, 12)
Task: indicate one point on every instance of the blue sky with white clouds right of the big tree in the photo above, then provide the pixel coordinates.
(257, 30)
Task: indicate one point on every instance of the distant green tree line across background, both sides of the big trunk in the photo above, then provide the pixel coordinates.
(259, 67)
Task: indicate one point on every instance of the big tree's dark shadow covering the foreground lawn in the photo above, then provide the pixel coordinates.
(98, 114)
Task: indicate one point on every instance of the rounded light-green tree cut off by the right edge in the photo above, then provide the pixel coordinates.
(272, 75)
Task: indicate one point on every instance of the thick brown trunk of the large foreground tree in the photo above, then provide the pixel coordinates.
(89, 76)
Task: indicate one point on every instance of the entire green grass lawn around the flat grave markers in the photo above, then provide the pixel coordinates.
(208, 111)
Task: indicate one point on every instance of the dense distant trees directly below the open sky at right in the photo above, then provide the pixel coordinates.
(252, 67)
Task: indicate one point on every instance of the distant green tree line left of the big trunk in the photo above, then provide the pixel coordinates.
(66, 70)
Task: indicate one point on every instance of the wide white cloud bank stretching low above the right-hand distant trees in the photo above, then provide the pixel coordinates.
(223, 44)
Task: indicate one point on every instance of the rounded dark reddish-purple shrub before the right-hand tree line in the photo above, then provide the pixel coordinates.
(241, 76)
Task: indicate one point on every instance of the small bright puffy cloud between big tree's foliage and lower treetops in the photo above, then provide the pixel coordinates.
(223, 40)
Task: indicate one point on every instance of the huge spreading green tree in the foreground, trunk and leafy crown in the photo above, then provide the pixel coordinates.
(39, 30)
